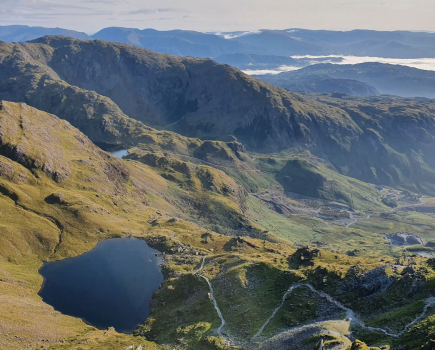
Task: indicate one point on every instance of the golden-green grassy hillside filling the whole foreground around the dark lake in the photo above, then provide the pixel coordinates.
(60, 195)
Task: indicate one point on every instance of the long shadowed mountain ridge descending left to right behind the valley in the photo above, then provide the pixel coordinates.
(204, 99)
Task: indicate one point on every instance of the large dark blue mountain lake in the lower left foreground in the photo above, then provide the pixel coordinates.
(110, 286)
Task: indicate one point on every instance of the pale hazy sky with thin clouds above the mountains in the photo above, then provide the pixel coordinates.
(222, 15)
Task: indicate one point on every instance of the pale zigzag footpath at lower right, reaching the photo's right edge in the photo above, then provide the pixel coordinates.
(350, 314)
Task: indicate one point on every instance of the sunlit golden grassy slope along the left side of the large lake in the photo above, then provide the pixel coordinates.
(60, 195)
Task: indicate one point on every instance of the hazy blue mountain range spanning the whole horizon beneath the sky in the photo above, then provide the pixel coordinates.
(399, 44)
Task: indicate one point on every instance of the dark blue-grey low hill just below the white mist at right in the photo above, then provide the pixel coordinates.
(385, 78)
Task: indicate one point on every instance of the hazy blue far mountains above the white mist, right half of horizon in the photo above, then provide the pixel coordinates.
(398, 44)
